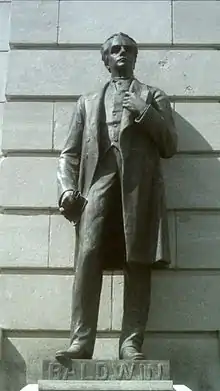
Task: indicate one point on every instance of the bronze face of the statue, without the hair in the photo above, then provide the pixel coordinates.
(121, 55)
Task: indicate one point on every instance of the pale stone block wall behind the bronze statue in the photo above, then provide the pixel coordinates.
(54, 57)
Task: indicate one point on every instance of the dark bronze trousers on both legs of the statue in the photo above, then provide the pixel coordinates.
(88, 276)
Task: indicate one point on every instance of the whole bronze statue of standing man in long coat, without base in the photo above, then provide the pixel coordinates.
(109, 176)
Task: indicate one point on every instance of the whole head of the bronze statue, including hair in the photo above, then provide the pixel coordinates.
(119, 52)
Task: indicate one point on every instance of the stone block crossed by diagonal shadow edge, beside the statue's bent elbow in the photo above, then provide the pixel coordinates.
(198, 126)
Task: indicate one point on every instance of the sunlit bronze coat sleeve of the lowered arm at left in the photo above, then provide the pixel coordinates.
(69, 161)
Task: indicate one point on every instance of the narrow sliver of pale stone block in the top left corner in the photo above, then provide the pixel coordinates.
(4, 25)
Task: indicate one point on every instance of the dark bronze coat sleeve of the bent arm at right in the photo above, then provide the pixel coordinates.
(158, 121)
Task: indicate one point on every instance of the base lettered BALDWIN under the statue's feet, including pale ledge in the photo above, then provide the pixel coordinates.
(106, 375)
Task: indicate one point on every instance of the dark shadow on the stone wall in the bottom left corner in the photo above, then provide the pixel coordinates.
(13, 368)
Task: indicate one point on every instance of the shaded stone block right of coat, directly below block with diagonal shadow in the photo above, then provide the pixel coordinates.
(192, 182)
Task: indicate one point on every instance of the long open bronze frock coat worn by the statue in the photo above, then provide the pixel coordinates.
(136, 234)
